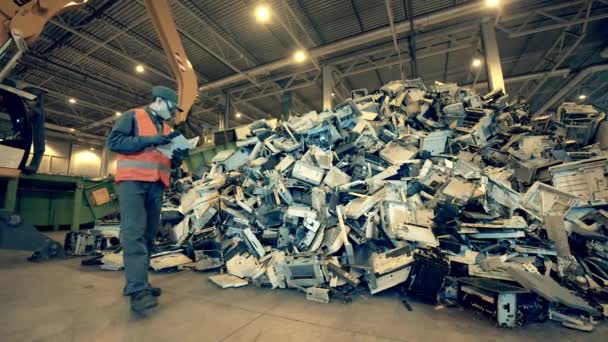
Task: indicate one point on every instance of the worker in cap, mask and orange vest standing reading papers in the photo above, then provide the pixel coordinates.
(142, 173)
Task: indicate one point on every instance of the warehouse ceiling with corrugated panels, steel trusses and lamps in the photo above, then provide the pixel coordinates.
(90, 54)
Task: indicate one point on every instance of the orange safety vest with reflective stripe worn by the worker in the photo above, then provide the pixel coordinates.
(149, 165)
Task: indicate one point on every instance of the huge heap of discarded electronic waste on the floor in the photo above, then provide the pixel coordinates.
(450, 197)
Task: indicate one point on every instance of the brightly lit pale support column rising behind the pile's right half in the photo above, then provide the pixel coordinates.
(492, 56)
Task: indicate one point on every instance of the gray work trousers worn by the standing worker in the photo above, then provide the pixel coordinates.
(139, 222)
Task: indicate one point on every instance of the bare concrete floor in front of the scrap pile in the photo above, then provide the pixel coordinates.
(62, 301)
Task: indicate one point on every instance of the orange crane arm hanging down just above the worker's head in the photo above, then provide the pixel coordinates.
(187, 86)
